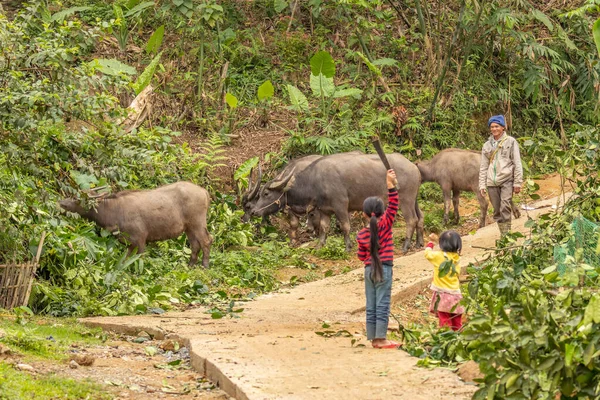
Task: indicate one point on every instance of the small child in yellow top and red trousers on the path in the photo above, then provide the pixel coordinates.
(445, 302)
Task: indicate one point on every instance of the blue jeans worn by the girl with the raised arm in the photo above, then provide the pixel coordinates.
(378, 302)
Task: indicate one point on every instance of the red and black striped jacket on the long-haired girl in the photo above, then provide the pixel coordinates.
(384, 226)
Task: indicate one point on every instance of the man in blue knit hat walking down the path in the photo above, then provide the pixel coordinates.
(501, 173)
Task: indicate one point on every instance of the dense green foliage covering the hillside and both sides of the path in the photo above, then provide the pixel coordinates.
(423, 75)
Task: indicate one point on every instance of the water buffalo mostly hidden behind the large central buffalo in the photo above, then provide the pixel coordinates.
(250, 198)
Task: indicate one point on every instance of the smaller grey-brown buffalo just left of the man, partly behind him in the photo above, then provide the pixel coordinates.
(457, 170)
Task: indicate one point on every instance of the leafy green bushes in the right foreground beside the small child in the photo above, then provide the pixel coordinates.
(532, 329)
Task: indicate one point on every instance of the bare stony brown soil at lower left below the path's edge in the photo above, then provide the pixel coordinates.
(129, 371)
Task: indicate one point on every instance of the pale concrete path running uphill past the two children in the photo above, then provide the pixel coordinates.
(273, 352)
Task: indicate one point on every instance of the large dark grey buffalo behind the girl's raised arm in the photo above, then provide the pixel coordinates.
(338, 184)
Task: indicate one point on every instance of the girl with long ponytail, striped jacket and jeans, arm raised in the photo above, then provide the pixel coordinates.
(376, 250)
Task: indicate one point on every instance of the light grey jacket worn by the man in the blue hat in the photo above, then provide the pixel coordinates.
(501, 166)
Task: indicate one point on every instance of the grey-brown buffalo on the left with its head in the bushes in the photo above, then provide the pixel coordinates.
(142, 216)
